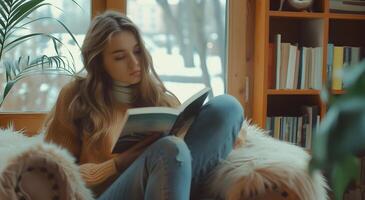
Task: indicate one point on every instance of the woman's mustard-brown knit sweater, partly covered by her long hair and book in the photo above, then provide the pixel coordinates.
(97, 164)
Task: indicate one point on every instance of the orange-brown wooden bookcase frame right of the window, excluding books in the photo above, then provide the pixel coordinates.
(316, 29)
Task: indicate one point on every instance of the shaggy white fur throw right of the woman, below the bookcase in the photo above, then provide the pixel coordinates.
(263, 163)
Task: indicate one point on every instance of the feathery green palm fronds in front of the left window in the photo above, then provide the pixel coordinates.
(15, 17)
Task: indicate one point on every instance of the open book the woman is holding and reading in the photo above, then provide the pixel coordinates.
(141, 122)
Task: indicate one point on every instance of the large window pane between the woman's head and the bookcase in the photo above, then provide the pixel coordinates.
(186, 39)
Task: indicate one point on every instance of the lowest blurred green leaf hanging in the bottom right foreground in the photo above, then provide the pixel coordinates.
(343, 172)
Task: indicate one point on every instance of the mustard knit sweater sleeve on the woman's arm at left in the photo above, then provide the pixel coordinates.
(61, 131)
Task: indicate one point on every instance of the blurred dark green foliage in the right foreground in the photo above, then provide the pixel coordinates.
(341, 135)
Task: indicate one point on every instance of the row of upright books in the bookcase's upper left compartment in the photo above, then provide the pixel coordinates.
(296, 67)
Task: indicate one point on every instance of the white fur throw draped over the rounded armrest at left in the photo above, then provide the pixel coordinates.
(15, 151)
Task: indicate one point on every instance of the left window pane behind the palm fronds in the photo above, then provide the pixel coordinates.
(39, 92)
